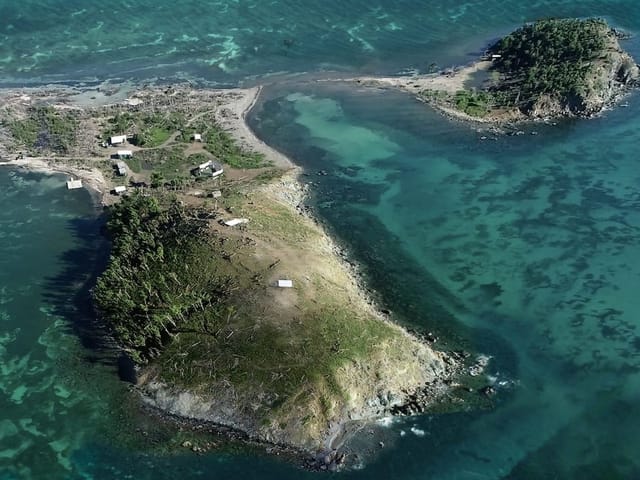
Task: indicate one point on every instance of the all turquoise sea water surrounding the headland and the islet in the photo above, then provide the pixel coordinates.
(524, 248)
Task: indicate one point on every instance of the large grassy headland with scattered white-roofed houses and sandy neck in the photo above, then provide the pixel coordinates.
(234, 304)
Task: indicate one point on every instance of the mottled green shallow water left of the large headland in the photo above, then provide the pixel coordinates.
(46, 379)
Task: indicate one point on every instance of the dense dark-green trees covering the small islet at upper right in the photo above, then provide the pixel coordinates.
(552, 56)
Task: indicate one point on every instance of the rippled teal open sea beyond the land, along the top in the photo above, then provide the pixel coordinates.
(230, 41)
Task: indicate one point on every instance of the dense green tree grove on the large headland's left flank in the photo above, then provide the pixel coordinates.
(163, 272)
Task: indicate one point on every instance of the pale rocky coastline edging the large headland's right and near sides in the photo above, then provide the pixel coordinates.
(336, 453)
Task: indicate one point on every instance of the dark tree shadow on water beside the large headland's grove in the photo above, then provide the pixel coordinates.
(70, 293)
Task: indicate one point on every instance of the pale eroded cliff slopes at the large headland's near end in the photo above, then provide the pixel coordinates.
(414, 378)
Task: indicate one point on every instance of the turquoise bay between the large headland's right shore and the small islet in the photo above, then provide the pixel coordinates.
(531, 242)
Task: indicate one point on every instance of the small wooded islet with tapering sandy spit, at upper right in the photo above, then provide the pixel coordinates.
(546, 69)
